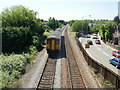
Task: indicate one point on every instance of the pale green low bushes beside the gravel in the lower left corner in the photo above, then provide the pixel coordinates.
(13, 66)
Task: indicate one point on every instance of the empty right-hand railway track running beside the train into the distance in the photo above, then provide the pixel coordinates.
(76, 80)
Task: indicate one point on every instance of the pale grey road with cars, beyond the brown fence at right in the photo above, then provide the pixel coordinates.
(101, 53)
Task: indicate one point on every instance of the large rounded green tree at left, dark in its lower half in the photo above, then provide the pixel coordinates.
(19, 25)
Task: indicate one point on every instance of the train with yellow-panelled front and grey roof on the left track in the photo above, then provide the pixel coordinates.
(53, 43)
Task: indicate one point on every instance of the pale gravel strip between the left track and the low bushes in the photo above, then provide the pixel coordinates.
(31, 78)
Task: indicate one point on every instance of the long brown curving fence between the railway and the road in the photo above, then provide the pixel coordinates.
(99, 68)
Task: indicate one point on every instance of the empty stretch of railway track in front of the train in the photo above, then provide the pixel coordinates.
(47, 79)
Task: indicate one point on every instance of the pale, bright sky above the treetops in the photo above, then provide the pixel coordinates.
(68, 9)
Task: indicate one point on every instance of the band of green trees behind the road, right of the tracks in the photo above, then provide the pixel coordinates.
(105, 28)
